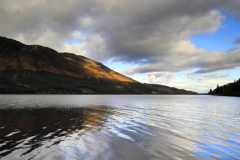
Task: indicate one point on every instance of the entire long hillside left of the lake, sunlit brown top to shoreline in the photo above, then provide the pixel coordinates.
(35, 69)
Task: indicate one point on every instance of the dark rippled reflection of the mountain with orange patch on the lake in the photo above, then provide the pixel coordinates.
(31, 128)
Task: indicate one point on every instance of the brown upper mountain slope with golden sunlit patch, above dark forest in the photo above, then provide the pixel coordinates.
(18, 56)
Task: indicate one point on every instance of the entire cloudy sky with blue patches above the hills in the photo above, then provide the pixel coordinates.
(188, 44)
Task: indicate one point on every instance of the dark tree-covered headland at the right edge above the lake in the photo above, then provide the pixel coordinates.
(230, 89)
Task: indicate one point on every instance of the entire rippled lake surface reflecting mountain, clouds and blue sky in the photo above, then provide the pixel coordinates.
(131, 127)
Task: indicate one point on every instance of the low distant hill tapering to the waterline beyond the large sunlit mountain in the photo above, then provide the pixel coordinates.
(169, 90)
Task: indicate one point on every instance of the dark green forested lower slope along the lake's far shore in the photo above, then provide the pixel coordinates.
(30, 82)
